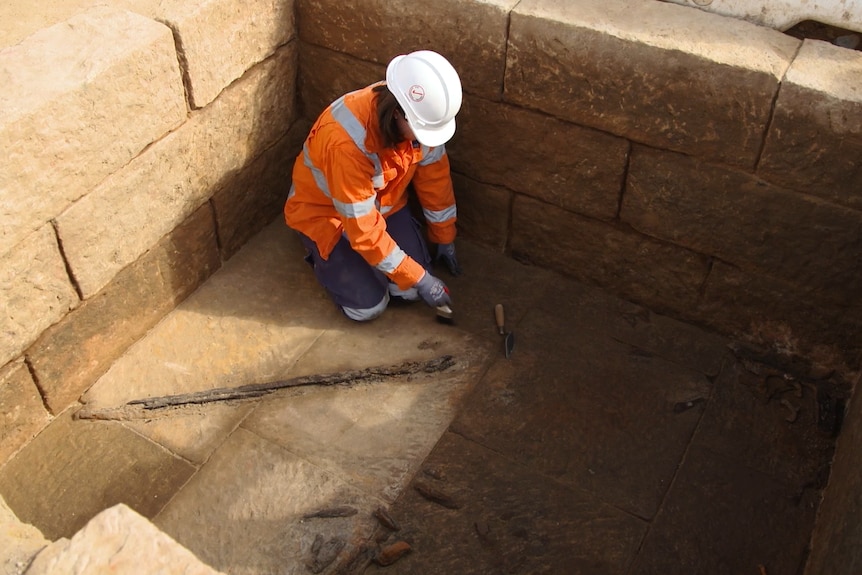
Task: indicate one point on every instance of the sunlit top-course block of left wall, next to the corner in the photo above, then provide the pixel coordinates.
(219, 40)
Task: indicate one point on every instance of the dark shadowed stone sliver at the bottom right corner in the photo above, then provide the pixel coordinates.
(834, 547)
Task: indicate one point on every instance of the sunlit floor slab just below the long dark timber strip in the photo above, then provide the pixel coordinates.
(374, 435)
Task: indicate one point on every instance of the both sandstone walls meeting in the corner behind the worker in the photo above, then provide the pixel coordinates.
(701, 165)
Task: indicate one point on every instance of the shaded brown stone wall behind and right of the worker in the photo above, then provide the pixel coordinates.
(702, 165)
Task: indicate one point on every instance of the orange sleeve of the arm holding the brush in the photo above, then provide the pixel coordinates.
(349, 181)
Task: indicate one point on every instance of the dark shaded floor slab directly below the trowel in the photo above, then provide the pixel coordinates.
(588, 410)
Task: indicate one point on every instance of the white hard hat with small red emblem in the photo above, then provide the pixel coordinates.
(428, 89)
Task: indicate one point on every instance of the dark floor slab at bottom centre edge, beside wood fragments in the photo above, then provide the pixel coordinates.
(510, 519)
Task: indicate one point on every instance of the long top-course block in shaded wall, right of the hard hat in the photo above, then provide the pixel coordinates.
(649, 71)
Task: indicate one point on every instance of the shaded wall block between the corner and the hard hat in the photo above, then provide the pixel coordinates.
(327, 75)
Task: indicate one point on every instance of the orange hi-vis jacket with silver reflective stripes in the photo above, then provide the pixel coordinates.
(346, 182)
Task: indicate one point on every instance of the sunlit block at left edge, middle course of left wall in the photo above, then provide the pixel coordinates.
(35, 289)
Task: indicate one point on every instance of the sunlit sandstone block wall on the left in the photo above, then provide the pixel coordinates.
(143, 145)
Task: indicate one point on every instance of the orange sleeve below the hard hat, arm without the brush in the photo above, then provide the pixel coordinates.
(433, 184)
